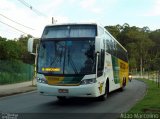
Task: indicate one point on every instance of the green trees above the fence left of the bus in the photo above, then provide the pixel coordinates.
(15, 49)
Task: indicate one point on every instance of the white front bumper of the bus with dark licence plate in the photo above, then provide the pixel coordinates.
(89, 90)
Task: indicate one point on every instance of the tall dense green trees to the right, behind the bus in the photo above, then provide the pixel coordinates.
(141, 44)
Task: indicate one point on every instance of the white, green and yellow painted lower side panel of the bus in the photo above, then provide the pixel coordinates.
(116, 70)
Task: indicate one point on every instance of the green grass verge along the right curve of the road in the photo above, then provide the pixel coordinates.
(151, 101)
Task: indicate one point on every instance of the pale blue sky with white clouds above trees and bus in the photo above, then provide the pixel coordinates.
(39, 13)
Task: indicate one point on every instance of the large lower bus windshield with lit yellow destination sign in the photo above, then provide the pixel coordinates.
(67, 56)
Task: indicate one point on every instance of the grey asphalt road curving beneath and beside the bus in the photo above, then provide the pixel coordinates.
(32, 105)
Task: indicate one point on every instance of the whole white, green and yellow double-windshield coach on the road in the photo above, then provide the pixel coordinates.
(80, 60)
